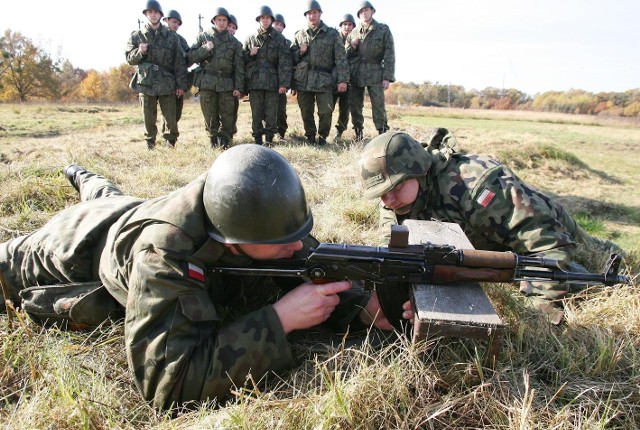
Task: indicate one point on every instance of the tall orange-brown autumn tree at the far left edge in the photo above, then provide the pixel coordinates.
(28, 70)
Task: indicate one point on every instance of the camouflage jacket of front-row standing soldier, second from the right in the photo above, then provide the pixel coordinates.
(324, 64)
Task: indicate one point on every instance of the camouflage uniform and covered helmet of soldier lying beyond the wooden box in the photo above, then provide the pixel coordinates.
(494, 207)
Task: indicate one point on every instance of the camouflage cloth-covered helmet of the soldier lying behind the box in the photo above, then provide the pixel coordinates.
(389, 159)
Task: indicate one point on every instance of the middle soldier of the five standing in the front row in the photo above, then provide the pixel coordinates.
(268, 73)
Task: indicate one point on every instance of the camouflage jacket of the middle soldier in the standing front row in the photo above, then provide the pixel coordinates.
(271, 67)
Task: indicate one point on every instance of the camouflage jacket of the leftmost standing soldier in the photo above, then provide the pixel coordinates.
(162, 69)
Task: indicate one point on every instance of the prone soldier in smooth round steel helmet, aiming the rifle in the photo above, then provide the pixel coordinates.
(154, 260)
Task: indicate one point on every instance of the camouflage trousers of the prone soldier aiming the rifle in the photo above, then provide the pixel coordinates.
(67, 248)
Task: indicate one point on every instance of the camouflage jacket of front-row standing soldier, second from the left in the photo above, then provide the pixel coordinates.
(223, 66)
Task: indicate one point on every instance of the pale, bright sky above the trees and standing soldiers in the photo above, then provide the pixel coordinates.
(533, 46)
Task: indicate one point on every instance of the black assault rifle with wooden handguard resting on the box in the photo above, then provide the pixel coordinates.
(393, 269)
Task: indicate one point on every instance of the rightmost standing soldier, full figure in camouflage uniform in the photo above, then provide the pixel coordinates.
(372, 59)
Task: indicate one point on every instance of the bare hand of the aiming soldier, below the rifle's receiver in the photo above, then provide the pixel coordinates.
(308, 304)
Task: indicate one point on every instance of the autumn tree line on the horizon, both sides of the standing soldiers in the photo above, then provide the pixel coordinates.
(28, 72)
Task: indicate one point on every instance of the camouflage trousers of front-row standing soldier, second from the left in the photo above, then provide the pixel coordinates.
(218, 110)
